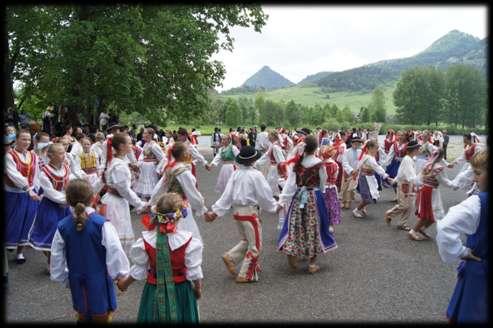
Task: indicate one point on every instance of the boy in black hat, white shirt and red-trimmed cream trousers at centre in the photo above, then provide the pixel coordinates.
(246, 191)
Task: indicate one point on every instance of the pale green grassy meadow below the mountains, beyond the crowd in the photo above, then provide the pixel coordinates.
(311, 95)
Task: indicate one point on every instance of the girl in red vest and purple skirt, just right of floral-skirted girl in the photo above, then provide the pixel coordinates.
(327, 153)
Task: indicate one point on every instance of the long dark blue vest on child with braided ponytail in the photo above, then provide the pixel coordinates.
(92, 289)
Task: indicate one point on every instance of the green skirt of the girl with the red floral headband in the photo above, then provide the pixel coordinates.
(186, 304)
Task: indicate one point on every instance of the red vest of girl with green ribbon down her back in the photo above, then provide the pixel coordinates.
(177, 263)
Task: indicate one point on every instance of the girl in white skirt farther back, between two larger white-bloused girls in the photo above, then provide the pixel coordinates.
(148, 162)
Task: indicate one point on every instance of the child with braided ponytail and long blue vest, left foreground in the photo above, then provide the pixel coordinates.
(87, 255)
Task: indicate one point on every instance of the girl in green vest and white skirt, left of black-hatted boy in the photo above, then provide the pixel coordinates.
(226, 155)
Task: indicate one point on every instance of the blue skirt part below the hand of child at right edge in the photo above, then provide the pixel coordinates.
(469, 302)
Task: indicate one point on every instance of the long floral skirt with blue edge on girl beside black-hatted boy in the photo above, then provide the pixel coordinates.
(305, 232)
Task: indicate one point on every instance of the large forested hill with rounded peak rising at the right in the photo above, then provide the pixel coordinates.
(454, 48)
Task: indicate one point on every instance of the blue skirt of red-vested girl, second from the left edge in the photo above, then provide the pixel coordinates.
(45, 224)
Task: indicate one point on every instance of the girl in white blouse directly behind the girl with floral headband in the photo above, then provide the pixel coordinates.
(178, 178)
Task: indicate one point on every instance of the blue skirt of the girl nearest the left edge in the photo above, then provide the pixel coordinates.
(19, 212)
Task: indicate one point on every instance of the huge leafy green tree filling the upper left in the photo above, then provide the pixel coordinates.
(150, 59)
